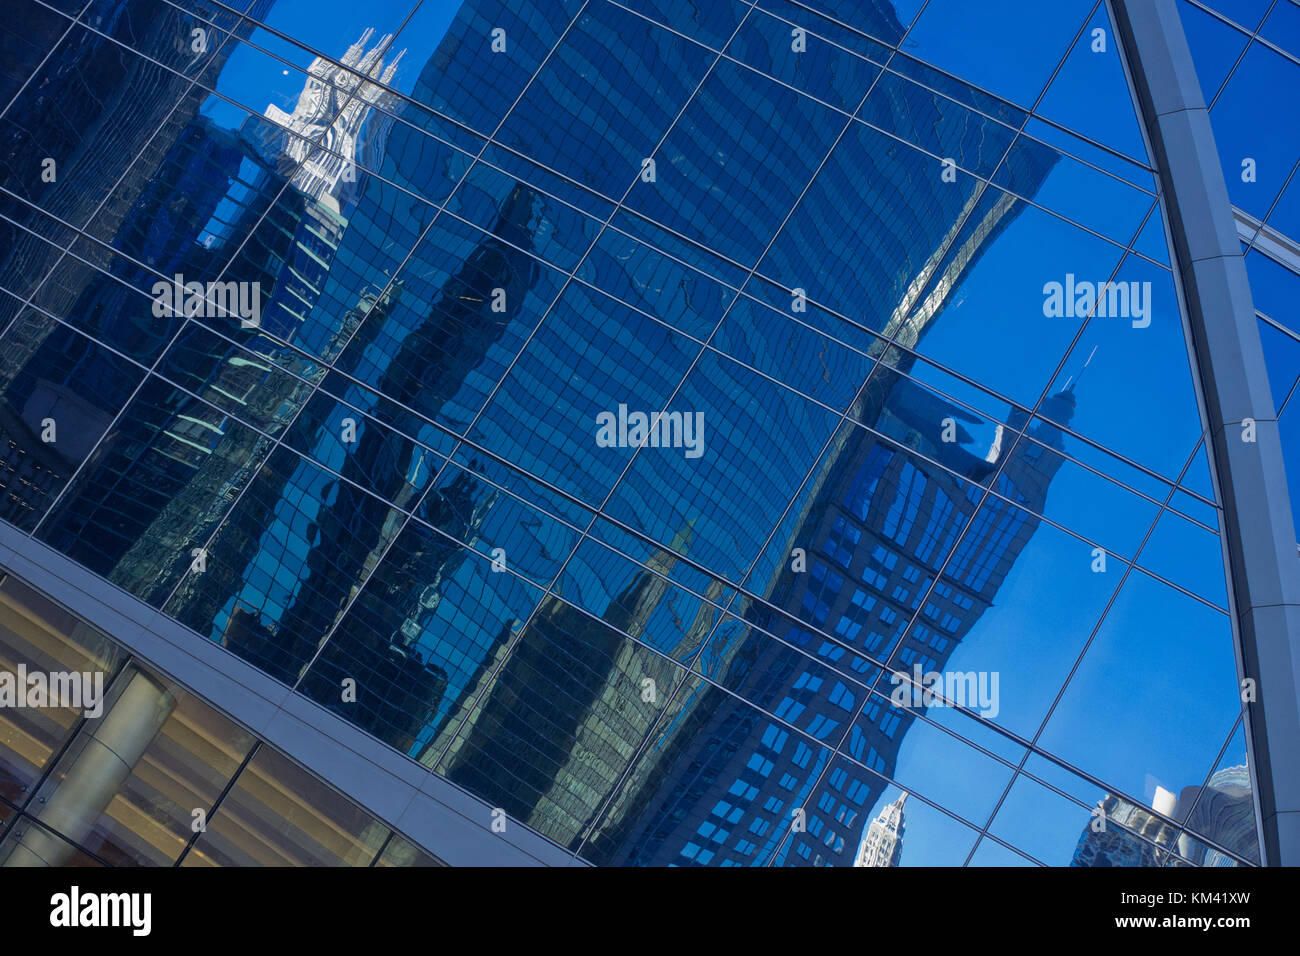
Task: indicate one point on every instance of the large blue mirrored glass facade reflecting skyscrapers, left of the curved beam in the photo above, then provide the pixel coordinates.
(895, 275)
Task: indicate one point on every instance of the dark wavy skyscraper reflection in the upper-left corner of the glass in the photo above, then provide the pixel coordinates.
(163, 163)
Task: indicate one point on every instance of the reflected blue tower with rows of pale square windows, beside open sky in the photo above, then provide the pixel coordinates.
(877, 529)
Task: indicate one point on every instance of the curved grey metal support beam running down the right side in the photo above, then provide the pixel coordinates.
(1258, 526)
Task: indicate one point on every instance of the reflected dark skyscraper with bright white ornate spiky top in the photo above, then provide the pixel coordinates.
(179, 481)
